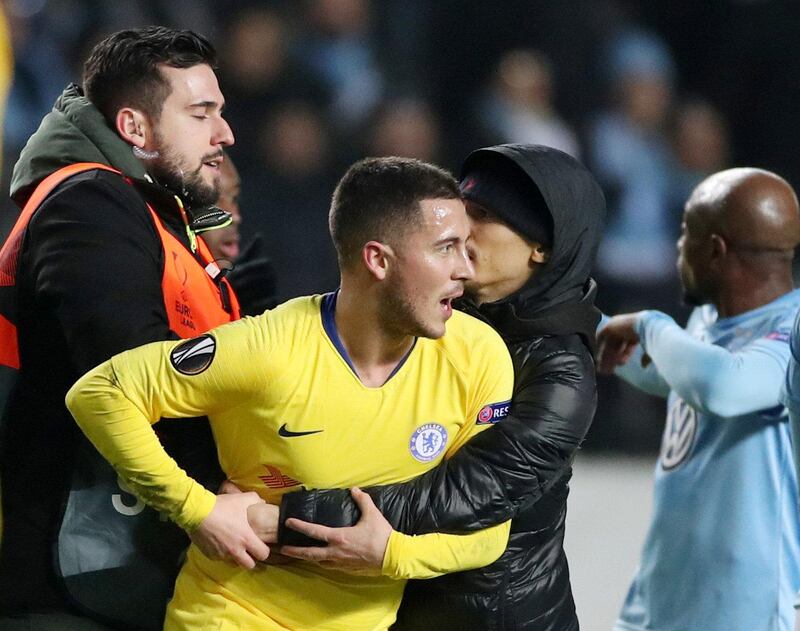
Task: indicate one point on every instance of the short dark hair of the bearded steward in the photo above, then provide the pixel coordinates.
(122, 70)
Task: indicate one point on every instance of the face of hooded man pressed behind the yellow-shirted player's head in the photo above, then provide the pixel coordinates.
(504, 260)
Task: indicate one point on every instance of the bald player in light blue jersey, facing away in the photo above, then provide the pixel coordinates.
(723, 549)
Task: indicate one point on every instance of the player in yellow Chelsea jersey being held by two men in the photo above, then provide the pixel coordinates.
(361, 386)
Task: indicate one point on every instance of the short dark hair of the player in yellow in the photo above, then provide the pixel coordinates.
(379, 198)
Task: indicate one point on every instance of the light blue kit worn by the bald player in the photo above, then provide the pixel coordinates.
(723, 549)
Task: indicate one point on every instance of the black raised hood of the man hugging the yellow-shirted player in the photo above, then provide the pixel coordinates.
(559, 298)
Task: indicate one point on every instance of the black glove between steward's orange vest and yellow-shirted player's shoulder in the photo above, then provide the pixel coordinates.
(253, 279)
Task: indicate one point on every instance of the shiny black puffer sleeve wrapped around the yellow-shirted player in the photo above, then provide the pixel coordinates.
(493, 476)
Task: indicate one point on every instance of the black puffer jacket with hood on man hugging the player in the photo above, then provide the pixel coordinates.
(519, 469)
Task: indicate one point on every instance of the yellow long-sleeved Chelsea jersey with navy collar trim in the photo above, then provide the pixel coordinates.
(287, 409)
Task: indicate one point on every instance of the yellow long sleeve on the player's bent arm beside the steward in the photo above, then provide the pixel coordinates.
(116, 404)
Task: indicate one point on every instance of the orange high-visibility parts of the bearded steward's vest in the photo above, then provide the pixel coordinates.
(194, 302)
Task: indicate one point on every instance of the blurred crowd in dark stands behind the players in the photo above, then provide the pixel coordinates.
(651, 96)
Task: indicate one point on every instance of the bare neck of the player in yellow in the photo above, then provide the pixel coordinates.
(374, 352)
